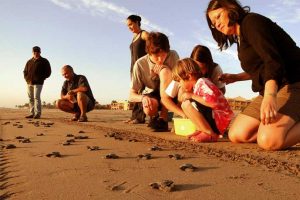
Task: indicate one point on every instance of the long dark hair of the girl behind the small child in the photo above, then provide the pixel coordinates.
(202, 54)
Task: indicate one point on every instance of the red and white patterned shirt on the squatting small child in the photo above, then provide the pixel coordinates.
(221, 110)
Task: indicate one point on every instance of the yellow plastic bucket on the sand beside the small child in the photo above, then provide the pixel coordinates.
(183, 127)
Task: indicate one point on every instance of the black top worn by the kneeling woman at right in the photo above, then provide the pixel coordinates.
(267, 52)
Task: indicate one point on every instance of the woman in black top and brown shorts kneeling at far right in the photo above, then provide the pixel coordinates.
(271, 59)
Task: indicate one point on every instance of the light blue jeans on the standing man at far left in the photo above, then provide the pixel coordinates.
(34, 94)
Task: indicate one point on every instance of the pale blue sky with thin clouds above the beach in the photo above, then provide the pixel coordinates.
(92, 37)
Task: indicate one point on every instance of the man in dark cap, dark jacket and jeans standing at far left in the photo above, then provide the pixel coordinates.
(37, 69)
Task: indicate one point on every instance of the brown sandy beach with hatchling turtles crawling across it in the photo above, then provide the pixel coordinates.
(222, 170)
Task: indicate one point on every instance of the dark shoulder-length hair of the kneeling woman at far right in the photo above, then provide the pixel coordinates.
(236, 13)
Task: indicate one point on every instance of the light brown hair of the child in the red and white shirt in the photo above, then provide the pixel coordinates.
(186, 67)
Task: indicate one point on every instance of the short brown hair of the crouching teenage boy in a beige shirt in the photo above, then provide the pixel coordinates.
(157, 42)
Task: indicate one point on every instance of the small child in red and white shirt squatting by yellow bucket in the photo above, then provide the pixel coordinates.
(206, 100)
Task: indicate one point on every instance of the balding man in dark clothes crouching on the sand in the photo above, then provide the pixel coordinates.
(76, 95)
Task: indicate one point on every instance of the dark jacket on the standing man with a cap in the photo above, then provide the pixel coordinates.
(36, 71)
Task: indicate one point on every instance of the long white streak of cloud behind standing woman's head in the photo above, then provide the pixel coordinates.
(107, 10)
